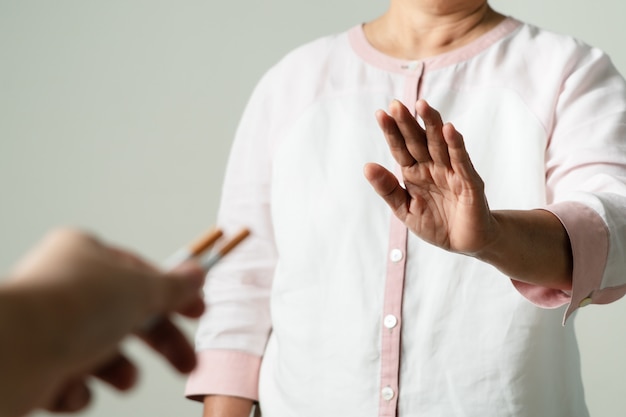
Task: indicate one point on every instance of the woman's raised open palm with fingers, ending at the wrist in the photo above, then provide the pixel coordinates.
(443, 200)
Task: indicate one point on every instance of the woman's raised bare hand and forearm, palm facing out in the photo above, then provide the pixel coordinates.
(443, 202)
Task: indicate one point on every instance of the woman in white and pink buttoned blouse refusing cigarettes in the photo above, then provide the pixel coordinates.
(452, 307)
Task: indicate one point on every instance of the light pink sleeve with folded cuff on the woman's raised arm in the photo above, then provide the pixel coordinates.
(586, 182)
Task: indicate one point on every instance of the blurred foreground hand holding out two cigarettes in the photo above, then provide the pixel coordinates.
(69, 304)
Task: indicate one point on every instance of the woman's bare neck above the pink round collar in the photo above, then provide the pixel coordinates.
(419, 29)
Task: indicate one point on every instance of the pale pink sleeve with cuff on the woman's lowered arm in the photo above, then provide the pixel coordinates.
(233, 332)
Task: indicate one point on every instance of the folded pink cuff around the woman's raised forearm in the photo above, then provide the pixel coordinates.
(589, 239)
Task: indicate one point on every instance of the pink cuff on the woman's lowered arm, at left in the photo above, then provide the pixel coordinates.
(224, 372)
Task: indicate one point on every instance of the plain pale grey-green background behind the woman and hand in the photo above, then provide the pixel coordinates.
(117, 116)
